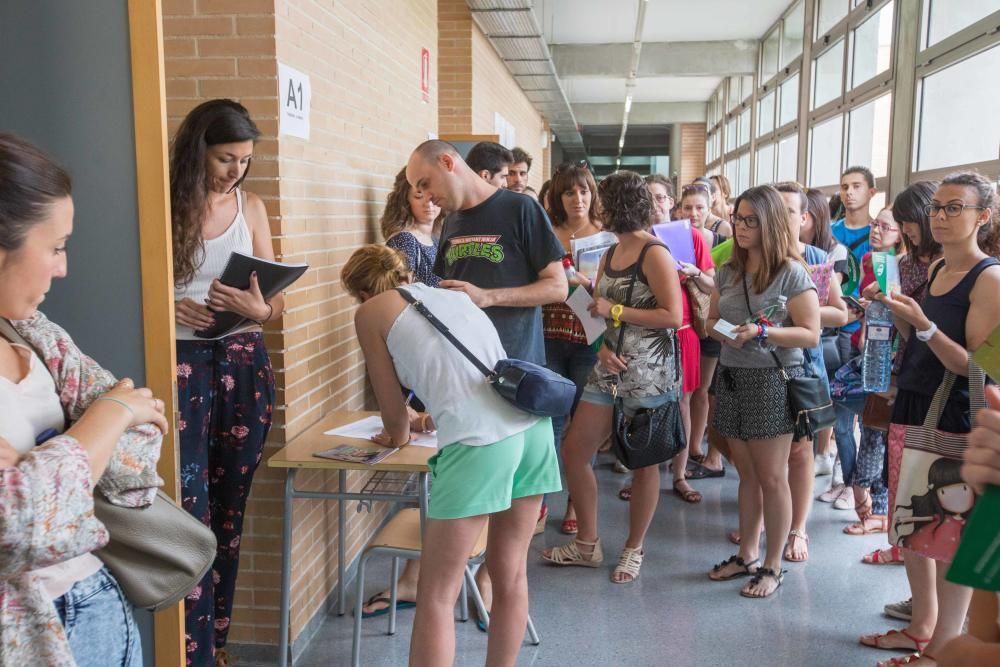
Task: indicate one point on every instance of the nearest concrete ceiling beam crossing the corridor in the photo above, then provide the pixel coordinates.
(721, 58)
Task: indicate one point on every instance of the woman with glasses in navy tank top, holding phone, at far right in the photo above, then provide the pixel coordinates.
(956, 316)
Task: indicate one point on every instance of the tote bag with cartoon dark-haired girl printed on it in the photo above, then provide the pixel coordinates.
(922, 461)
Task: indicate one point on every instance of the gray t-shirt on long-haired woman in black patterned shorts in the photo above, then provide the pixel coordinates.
(790, 282)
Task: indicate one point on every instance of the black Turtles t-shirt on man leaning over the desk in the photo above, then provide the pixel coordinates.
(505, 241)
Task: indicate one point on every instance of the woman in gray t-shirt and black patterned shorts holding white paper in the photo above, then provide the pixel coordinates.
(752, 409)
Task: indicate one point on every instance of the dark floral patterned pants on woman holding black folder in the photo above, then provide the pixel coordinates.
(225, 391)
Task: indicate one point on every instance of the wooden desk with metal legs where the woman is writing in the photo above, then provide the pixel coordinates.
(299, 455)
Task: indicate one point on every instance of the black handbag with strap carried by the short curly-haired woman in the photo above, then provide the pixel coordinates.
(652, 435)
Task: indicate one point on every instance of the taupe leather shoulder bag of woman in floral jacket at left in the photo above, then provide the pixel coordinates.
(157, 553)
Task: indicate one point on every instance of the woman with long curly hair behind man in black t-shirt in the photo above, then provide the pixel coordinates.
(409, 224)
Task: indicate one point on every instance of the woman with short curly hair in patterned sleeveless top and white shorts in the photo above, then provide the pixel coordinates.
(647, 372)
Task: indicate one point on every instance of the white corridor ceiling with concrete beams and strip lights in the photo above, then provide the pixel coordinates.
(680, 51)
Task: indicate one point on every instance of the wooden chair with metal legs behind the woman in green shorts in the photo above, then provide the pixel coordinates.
(401, 538)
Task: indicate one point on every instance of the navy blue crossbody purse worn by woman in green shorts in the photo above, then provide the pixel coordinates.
(530, 387)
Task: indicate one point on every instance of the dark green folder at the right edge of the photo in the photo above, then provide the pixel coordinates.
(977, 562)
